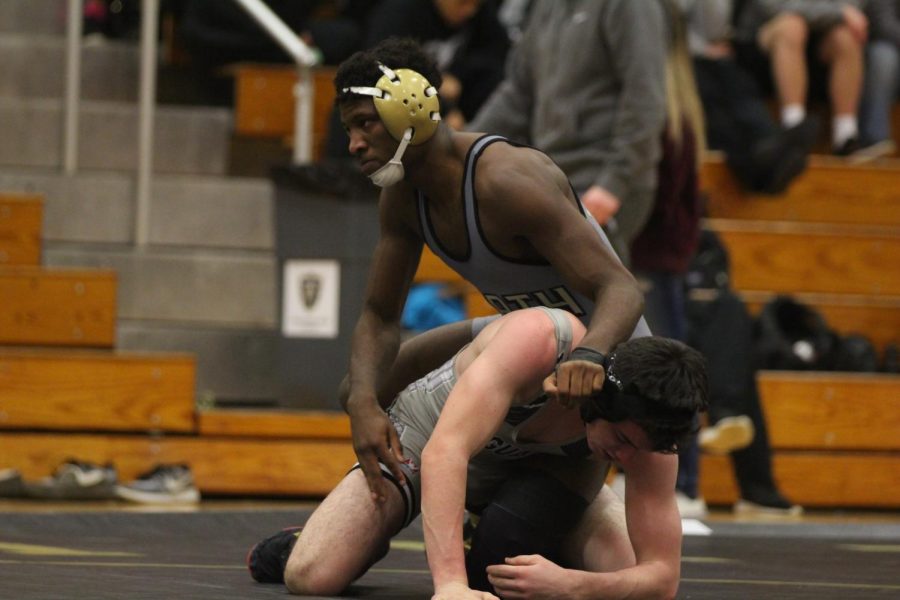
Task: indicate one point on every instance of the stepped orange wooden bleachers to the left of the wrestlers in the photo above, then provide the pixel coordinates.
(66, 392)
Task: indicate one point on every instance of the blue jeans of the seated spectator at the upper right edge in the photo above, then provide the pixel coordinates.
(882, 81)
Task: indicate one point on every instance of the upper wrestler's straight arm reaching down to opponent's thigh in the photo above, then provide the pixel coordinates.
(376, 337)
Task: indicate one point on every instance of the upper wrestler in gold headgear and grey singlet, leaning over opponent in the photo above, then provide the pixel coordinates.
(503, 216)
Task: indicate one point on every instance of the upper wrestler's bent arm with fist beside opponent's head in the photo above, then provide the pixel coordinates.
(531, 193)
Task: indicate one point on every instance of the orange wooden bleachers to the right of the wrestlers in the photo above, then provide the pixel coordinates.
(832, 242)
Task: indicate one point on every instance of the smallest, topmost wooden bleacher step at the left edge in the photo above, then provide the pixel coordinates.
(21, 219)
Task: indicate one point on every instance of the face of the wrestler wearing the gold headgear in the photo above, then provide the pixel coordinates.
(370, 142)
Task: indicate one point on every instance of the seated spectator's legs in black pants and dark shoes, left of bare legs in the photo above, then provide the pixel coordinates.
(763, 156)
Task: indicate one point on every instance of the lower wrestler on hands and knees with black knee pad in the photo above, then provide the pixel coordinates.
(471, 424)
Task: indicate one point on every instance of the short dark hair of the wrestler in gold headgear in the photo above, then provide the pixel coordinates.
(361, 69)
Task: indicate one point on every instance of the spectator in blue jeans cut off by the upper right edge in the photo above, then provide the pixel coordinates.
(882, 79)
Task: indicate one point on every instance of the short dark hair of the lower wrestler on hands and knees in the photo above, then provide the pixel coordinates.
(660, 384)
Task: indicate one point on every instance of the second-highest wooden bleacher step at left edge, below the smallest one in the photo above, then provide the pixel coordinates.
(57, 307)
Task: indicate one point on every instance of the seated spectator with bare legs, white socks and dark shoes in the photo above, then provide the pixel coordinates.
(800, 37)
